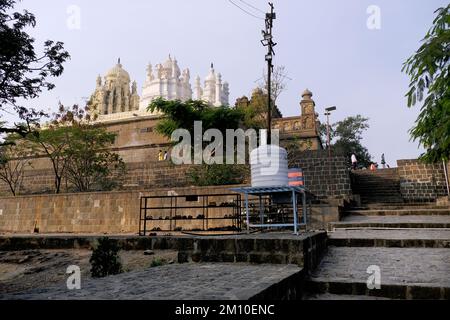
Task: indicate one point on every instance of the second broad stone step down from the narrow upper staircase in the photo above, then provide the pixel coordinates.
(416, 221)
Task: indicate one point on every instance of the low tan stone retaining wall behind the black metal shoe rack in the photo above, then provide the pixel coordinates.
(96, 212)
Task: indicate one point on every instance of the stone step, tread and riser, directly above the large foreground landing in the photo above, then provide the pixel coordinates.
(400, 238)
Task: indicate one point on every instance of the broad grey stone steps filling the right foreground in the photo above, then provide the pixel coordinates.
(409, 243)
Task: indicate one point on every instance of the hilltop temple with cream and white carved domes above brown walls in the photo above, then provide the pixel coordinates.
(116, 104)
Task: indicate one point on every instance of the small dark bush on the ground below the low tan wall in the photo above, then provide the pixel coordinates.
(105, 258)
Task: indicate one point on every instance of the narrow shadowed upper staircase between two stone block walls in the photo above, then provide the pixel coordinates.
(381, 185)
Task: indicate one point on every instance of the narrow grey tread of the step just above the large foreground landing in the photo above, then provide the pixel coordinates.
(398, 234)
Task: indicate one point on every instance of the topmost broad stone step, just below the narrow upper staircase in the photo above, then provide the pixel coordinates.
(399, 212)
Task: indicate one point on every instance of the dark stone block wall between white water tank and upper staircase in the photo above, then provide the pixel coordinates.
(325, 177)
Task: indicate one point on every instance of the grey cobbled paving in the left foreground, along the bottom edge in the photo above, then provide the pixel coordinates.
(173, 282)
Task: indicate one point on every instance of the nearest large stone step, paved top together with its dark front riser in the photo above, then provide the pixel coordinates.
(405, 273)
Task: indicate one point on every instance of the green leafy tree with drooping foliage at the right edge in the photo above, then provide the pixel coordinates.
(429, 72)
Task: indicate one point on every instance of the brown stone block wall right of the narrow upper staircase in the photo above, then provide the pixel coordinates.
(420, 181)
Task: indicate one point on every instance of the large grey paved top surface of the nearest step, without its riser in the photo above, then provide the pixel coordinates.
(420, 266)
